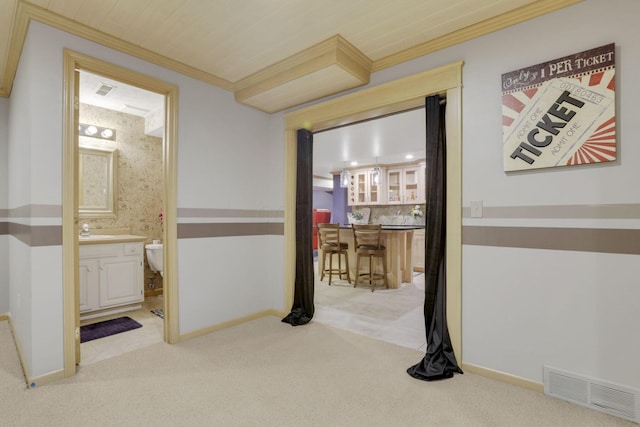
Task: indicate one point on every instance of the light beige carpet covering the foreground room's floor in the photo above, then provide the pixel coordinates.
(267, 373)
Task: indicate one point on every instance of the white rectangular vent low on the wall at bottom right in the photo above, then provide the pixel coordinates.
(614, 399)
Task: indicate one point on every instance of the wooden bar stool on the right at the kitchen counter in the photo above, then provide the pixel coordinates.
(367, 240)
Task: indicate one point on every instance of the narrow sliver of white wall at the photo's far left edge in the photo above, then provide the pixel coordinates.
(4, 239)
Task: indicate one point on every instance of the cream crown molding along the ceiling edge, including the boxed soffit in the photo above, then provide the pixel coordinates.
(329, 67)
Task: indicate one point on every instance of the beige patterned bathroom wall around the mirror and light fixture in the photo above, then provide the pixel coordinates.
(139, 177)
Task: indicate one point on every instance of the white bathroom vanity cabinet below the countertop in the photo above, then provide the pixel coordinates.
(111, 275)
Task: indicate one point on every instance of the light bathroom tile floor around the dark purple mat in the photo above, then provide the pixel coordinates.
(152, 332)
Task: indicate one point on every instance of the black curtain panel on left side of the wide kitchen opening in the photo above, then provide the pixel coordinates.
(302, 309)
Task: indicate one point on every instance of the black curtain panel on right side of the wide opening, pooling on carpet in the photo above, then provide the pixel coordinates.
(439, 361)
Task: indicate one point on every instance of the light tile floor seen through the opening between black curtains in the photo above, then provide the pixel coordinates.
(392, 315)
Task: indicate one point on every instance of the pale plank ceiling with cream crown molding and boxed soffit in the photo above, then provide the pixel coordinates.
(272, 54)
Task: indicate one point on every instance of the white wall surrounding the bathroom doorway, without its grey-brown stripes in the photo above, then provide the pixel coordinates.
(229, 157)
